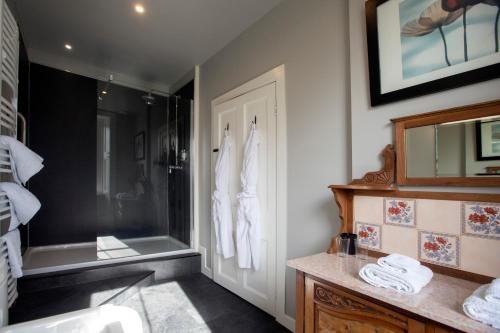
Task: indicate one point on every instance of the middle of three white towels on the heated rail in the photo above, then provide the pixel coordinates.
(24, 204)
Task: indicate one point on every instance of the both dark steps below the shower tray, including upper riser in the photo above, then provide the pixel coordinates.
(63, 291)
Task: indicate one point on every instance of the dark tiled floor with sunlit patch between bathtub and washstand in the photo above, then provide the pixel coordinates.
(197, 304)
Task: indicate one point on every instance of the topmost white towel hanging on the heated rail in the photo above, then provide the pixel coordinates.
(25, 163)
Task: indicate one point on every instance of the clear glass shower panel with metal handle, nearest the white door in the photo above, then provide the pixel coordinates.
(143, 183)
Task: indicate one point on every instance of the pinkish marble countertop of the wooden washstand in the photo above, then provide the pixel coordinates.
(441, 300)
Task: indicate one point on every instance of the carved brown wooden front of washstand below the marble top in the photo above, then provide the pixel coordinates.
(328, 309)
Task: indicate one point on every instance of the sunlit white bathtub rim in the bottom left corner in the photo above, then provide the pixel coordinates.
(101, 319)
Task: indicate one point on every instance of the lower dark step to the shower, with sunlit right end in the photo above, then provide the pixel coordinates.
(54, 301)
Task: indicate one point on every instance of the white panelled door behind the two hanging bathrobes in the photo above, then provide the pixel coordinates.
(257, 287)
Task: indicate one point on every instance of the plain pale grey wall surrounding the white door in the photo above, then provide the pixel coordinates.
(310, 38)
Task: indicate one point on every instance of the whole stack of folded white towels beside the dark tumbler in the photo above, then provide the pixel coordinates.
(397, 272)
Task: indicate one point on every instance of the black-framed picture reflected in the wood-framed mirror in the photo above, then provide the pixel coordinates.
(488, 139)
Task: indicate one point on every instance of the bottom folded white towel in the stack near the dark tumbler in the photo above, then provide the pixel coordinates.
(409, 282)
